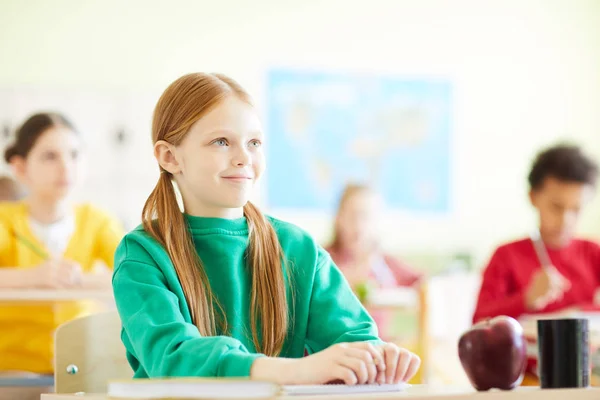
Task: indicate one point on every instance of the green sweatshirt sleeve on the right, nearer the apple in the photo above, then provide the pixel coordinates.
(335, 315)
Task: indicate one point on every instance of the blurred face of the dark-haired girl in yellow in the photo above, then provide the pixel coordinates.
(52, 167)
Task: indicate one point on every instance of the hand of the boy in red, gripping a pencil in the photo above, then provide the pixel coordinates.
(547, 286)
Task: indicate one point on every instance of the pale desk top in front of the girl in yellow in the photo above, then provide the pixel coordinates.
(21, 295)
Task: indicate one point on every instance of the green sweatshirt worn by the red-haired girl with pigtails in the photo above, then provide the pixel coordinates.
(158, 333)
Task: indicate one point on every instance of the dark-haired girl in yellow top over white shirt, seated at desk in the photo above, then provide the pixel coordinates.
(46, 242)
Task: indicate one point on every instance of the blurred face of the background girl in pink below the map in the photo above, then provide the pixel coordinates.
(358, 220)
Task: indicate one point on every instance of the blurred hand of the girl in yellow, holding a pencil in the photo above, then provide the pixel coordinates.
(57, 274)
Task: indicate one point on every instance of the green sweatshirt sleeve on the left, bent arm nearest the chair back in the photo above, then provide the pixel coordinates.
(157, 335)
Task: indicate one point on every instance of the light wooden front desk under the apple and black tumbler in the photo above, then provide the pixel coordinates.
(421, 392)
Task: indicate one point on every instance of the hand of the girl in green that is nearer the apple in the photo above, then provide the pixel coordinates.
(400, 364)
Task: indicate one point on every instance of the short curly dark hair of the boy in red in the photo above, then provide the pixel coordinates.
(565, 162)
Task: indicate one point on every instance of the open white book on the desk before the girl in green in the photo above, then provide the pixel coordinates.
(227, 388)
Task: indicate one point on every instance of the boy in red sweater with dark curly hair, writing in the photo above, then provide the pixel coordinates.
(562, 181)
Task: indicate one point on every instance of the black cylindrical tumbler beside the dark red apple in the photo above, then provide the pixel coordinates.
(563, 353)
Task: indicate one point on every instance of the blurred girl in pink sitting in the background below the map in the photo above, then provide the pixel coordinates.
(356, 248)
